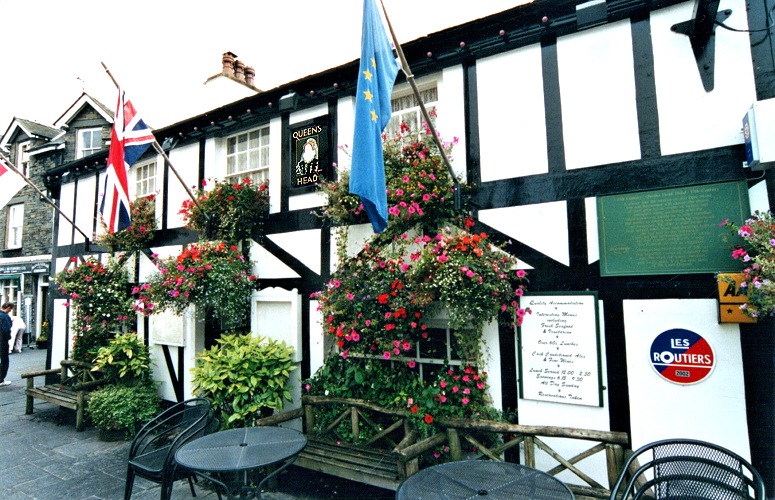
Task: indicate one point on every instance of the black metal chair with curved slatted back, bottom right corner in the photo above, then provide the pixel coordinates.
(687, 469)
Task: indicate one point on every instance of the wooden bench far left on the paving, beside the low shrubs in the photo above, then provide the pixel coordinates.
(76, 379)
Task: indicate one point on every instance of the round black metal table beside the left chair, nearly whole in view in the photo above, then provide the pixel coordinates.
(235, 452)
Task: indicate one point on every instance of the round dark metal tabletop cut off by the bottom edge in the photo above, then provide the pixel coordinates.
(483, 480)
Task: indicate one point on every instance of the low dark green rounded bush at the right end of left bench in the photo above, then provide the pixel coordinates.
(116, 407)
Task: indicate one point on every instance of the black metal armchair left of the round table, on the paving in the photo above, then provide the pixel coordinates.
(152, 453)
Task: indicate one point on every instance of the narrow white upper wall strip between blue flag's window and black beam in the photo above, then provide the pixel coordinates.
(451, 119)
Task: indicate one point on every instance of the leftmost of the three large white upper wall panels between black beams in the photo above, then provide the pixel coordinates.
(510, 90)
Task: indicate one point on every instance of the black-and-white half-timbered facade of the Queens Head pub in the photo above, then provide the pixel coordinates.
(554, 107)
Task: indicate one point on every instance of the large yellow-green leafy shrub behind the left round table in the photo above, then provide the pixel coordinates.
(244, 376)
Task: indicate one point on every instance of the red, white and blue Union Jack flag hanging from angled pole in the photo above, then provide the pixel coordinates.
(129, 139)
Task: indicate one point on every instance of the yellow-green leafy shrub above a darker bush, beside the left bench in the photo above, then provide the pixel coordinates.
(125, 361)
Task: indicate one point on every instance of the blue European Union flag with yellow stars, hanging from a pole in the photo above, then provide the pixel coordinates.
(377, 73)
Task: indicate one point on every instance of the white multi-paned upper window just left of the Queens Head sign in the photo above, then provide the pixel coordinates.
(247, 155)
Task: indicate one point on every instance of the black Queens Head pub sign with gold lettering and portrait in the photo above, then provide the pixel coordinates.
(311, 153)
